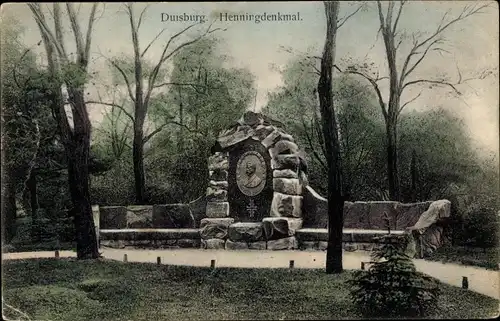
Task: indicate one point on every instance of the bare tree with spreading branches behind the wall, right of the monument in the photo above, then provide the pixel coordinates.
(399, 76)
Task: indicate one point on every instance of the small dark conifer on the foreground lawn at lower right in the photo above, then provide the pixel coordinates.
(392, 286)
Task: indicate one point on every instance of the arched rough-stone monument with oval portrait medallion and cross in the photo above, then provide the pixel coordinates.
(255, 190)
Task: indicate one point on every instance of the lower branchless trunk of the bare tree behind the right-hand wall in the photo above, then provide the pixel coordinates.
(392, 160)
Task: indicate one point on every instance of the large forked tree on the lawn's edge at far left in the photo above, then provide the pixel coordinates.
(76, 139)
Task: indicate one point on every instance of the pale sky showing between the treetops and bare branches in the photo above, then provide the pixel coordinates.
(472, 45)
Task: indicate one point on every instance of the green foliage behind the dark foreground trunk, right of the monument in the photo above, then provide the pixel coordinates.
(361, 128)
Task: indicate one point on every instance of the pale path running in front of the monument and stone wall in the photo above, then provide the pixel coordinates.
(483, 281)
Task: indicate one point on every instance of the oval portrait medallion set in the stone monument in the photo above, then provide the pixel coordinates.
(251, 173)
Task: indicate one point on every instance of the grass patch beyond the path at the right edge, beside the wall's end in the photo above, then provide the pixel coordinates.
(486, 258)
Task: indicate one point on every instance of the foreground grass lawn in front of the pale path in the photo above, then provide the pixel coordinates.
(65, 289)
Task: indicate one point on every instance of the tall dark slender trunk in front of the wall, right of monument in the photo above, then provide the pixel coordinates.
(332, 146)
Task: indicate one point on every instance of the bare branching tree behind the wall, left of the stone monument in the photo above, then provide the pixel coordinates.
(142, 95)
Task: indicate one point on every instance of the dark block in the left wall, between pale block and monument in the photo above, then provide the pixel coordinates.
(173, 216)
